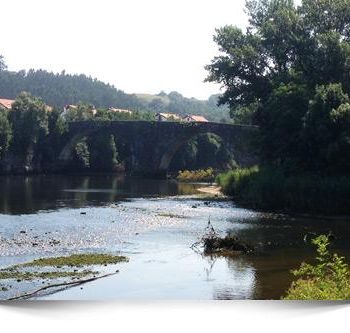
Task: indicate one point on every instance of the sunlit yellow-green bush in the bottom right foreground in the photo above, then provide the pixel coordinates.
(327, 279)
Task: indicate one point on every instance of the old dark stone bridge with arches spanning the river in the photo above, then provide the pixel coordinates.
(152, 145)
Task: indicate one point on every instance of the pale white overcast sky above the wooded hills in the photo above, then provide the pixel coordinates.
(138, 46)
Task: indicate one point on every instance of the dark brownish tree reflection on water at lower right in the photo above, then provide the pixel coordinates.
(282, 243)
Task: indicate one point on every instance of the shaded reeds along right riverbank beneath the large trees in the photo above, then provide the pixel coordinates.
(272, 189)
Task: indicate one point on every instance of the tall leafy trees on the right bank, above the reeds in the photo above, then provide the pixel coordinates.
(289, 74)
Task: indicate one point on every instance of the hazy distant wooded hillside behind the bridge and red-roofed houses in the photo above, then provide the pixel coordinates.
(63, 89)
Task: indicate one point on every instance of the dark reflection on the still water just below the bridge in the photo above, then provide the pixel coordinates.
(29, 194)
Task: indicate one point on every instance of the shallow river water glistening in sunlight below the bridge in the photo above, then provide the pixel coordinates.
(154, 223)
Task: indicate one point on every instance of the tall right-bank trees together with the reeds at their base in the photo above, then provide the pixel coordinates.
(289, 74)
